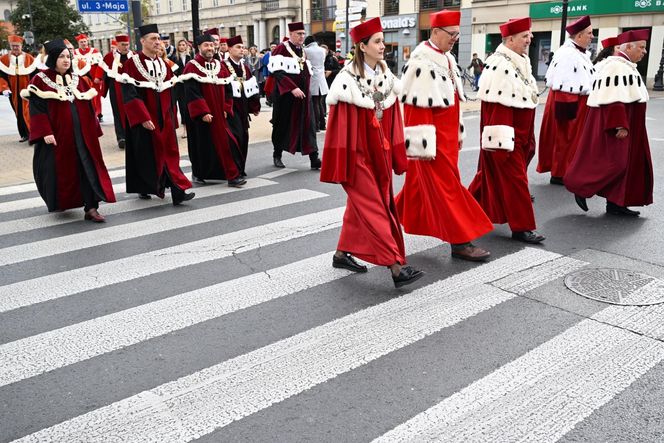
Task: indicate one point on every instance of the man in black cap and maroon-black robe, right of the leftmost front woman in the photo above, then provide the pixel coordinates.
(152, 155)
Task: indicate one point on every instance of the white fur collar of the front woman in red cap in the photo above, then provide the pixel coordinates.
(349, 87)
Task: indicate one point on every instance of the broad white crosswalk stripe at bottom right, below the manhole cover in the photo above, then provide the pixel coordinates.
(540, 396)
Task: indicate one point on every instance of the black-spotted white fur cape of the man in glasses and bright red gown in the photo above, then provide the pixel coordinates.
(430, 79)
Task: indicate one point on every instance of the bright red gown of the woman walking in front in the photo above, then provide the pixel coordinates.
(360, 153)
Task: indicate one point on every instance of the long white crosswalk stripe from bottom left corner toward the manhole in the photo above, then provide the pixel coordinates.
(198, 404)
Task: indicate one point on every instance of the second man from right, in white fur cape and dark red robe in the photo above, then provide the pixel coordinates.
(569, 78)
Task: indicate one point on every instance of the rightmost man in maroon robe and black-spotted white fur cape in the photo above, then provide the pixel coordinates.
(613, 160)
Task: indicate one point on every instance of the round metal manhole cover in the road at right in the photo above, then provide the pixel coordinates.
(617, 286)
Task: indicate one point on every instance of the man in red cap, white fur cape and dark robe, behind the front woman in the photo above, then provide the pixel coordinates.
(293, 126)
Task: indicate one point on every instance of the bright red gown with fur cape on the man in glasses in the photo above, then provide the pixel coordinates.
(433, 200)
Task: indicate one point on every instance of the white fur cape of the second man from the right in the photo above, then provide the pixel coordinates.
(571, 70)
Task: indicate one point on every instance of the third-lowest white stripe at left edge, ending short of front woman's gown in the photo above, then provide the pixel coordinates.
(99, 237)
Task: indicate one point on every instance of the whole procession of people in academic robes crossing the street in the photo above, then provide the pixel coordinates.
(593, 138)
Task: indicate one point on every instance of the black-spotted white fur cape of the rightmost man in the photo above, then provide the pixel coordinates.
(617, 81)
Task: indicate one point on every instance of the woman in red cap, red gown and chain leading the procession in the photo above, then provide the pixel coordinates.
(364, 143)
